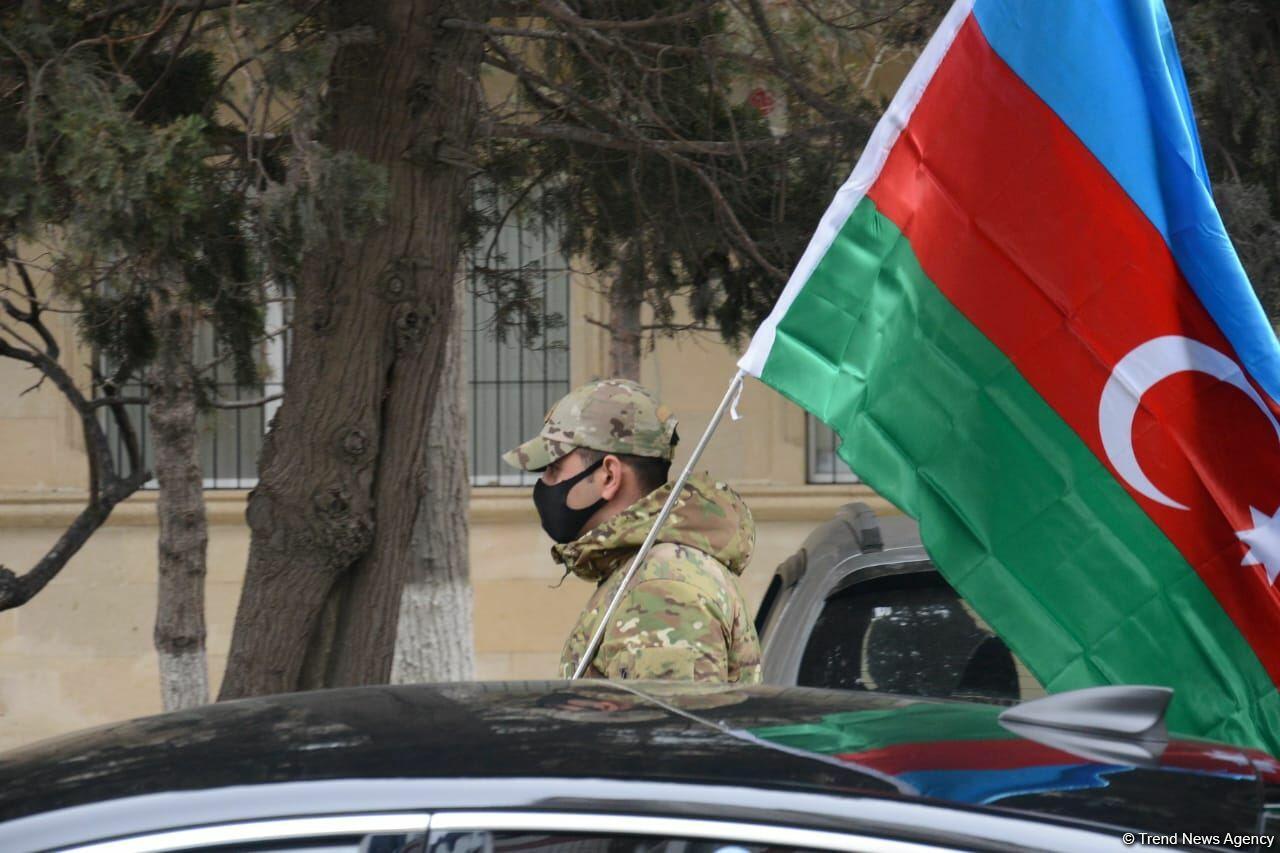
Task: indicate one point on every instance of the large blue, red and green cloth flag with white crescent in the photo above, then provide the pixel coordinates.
(1025, 320)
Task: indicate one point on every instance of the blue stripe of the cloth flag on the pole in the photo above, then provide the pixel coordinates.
(1110, 71)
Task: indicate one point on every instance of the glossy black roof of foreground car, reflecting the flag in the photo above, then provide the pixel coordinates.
(780, 738)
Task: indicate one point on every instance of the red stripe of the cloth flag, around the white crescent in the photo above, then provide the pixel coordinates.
(1036, 244)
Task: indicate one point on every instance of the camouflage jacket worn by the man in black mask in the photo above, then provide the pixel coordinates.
(683, 617)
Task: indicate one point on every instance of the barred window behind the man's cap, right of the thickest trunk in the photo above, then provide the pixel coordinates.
(514, 381)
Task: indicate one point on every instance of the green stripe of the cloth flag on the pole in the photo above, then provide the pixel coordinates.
(1020, 514)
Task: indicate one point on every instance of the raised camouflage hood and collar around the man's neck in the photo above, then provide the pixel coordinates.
(708, 517)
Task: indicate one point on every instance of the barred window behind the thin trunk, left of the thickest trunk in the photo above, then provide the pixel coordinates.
(230, 439)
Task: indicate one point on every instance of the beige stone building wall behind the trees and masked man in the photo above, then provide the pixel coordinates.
(80, 654)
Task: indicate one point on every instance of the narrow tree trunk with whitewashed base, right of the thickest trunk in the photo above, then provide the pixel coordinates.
(435, 641)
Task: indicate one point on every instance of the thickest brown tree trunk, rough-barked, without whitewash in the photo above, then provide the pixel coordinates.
(333, 517)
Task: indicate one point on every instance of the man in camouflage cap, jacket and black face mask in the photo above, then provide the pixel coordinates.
(605, 451)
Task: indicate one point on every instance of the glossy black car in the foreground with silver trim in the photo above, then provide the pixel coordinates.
(620, 767)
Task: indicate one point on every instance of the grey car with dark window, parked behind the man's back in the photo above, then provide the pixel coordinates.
(862, 606)
